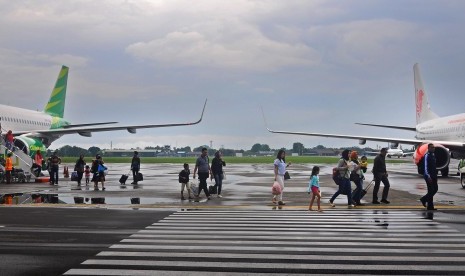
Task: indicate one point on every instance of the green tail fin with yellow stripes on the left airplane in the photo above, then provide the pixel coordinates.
(56, 103)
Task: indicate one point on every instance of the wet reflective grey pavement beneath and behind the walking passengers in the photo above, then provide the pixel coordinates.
(246, 185)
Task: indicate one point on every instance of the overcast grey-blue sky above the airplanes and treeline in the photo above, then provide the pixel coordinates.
(312, 65)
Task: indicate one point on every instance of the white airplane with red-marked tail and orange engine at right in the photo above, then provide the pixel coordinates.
(446, 133)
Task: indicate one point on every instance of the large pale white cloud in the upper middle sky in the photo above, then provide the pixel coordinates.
(250, 52)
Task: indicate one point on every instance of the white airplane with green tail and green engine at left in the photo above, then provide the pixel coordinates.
(34, 130)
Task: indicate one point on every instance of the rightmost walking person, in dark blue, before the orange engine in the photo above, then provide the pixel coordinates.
(431, 178)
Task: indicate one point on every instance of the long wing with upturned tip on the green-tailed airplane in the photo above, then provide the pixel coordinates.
(87, 131)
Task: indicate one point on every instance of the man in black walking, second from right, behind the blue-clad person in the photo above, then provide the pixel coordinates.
(380, 175)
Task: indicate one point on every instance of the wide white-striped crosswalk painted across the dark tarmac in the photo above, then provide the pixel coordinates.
(355, 242)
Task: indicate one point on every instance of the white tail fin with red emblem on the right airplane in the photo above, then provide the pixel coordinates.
(423, 110)
